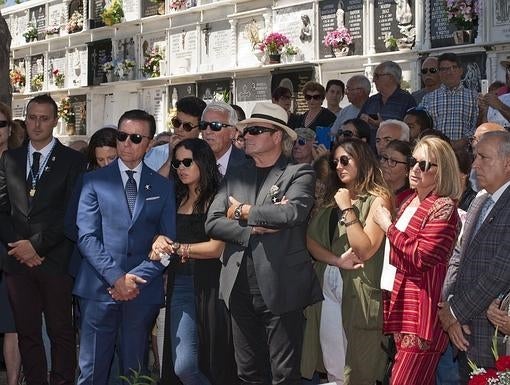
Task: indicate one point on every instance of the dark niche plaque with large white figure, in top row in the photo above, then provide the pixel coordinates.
(394, 25)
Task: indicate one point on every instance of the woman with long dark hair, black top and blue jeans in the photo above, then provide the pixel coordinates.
(197, 339)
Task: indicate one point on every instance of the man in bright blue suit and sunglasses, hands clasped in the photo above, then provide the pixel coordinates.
(122, 208)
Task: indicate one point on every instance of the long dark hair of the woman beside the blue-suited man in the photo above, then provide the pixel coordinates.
(209, 174)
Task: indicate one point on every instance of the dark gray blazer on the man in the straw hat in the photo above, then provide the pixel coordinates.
(283, 266)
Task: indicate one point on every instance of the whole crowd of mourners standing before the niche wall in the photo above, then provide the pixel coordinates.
(255, 251)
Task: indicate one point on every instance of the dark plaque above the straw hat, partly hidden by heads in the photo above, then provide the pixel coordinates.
(294, 80)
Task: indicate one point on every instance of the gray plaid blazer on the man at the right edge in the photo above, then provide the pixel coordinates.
(483, 273)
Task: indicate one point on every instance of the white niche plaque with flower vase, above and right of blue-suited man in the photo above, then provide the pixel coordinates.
(153, 55)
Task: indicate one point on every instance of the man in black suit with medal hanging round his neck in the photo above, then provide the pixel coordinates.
(36, 182)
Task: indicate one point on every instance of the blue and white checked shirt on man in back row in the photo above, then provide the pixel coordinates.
(454, 112)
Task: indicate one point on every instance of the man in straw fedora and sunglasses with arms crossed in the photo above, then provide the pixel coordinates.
(267, 278)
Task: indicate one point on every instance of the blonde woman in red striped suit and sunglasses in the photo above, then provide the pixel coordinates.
(422, 238)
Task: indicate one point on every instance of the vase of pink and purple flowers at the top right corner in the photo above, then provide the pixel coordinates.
(464, 14)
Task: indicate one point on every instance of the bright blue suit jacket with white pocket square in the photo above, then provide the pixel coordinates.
(111, 242)
